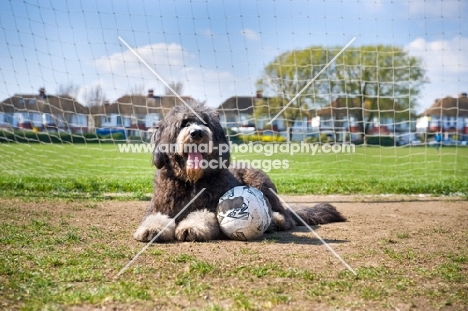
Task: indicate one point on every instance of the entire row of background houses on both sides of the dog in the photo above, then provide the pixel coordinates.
(343, 119)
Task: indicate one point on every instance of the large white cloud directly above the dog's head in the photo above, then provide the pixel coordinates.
(121, 71)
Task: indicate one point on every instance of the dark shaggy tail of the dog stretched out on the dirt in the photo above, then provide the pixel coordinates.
(322, 213)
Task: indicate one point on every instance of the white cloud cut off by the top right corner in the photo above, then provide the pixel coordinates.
(442, 8)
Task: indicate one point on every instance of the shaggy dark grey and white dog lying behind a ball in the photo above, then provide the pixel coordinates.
(182, 172)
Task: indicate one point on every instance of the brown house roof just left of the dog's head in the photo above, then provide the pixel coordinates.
(141, 104)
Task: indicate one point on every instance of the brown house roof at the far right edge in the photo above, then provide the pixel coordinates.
(449, 106)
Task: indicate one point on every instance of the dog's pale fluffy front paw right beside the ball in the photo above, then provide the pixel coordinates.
(198, 226)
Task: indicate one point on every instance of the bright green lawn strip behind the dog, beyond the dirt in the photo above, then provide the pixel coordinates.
(99, 171)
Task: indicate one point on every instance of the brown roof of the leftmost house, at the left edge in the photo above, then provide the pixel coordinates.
(42, 103)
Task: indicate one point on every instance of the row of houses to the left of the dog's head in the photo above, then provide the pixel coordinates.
(136, 114)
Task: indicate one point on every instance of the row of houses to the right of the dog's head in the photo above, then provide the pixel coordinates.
(347, 118)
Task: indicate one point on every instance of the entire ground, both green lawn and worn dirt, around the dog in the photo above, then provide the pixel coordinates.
(63, 243)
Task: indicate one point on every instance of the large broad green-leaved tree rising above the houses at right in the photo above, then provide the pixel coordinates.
(375, 77)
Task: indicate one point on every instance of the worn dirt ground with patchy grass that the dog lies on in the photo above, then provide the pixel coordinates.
(408, 251)
